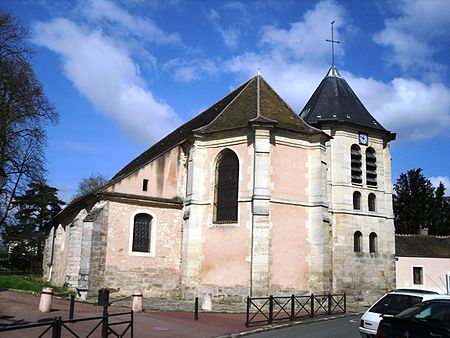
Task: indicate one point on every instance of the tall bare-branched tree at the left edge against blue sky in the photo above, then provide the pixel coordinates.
(24, 113)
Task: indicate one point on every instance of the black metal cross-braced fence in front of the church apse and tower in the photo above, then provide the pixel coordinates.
(267, 310)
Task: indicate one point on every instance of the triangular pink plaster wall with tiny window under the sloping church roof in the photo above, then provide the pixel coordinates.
(161, 174)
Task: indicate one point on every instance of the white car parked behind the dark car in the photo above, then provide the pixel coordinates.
(391, 304)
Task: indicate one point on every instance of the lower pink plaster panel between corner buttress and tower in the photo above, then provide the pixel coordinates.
(288, 267)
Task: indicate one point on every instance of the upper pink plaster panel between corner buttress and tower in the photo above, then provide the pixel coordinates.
(289, 173)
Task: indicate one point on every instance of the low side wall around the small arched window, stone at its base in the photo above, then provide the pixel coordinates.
(155, 275)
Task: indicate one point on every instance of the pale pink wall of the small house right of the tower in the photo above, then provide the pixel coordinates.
(434, 270)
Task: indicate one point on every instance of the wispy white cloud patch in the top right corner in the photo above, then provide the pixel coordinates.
(412, 34)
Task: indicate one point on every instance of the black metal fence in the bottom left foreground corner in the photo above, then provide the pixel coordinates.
(100, 326)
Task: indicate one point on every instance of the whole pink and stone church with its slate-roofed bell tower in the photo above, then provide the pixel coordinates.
(247, 198)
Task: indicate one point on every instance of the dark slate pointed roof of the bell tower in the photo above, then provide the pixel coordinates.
(334, 101)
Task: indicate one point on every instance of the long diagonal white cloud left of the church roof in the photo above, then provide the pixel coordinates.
(103, 72)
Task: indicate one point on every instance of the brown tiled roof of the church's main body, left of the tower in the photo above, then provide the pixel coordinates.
(234, 111)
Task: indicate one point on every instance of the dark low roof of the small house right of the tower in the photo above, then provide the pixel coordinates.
(422, 246)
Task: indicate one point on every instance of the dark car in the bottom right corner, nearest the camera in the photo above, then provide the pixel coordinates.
(428, 319)
